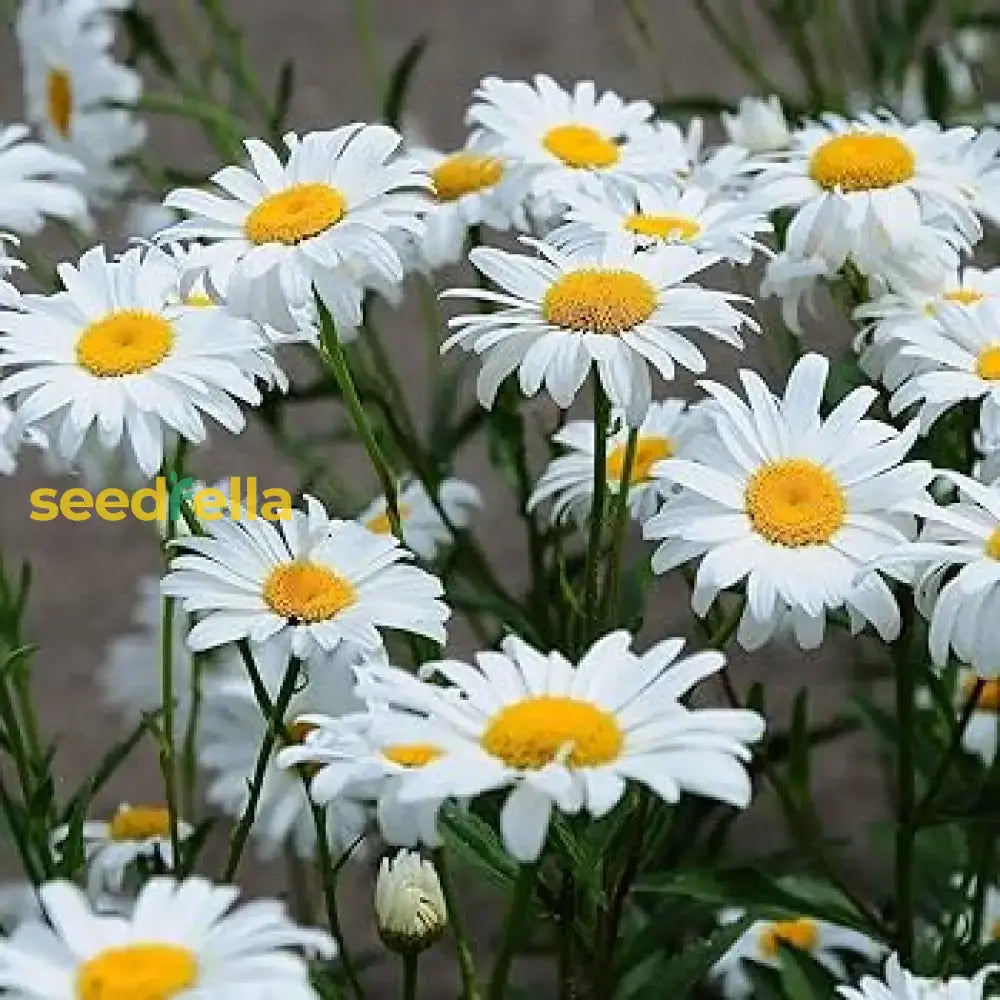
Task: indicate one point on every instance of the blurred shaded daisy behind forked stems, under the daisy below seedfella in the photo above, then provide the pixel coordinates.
(232, 730)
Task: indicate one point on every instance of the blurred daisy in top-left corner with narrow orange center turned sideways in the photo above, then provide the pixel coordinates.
(71, 82)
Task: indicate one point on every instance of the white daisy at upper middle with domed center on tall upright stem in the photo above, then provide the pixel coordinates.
(561, 312)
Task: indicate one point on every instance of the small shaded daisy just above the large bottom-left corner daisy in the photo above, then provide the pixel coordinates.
(134, 833)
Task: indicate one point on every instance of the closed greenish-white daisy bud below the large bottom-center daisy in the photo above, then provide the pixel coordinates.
(409, 905)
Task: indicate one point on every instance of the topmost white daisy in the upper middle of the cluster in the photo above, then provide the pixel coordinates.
(564, 141)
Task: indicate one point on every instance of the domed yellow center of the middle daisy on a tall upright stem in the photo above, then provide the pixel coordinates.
(598, 300)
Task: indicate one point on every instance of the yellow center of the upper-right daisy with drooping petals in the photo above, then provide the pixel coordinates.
(862, 161)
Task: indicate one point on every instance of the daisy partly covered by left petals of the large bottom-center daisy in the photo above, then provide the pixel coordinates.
(367, 758)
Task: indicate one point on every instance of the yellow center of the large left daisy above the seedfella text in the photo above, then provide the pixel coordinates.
(124, 343)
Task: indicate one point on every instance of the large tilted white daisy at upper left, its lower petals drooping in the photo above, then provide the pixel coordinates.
(325, 219)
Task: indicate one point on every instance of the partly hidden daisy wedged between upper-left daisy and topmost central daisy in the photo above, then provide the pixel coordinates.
(470, 187)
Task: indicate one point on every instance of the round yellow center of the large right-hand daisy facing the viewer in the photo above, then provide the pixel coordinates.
(795, 502)
